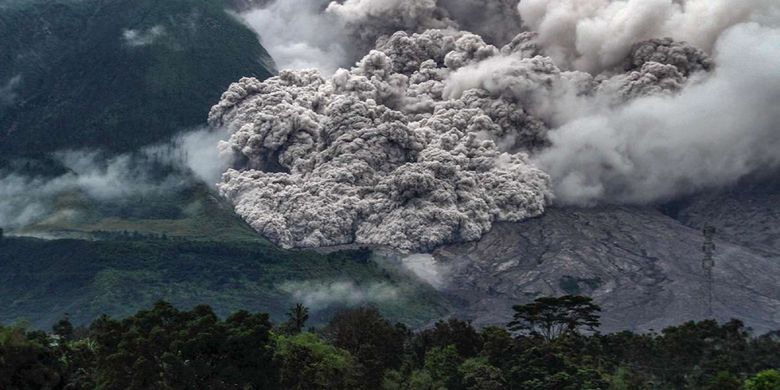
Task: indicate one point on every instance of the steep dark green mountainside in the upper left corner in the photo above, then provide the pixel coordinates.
(116, 74)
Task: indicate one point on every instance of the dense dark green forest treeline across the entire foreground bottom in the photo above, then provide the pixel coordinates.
(550, 344)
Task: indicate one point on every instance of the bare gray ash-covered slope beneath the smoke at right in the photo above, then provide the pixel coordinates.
(643, 267)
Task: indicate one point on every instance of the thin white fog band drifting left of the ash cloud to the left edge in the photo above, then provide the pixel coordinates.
(190, 156)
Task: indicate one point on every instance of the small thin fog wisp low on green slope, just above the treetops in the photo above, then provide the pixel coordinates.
(321, 294)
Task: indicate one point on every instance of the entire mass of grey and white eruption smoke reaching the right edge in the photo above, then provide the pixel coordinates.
(426, 140)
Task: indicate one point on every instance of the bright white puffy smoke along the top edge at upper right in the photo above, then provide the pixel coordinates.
(596, 35)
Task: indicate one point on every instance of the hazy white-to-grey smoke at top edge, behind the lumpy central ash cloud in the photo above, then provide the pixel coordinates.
(327, 35)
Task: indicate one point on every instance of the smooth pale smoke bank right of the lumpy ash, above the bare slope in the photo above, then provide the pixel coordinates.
(655, 148)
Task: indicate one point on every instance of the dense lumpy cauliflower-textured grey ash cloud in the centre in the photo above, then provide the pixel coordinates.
(373, 156)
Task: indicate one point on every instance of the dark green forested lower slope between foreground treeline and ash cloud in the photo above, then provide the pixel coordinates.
(43, 279)
